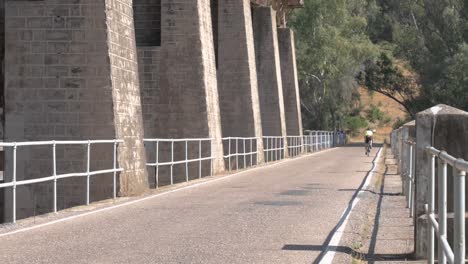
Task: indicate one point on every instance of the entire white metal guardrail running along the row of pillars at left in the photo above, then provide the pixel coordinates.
(274, 149)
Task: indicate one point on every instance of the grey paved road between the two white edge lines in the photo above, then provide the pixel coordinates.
(277, 214)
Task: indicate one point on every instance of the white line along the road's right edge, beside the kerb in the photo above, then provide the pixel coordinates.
(335, 241)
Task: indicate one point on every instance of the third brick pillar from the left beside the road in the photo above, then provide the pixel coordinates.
(237, 74)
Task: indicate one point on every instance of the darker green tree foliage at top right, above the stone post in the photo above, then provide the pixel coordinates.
(431, 35)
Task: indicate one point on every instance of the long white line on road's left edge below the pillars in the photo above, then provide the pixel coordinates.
(21, 230)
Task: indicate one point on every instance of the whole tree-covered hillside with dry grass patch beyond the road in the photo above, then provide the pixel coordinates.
(412, 52)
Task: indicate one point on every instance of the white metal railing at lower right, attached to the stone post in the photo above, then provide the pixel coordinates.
(459, 168)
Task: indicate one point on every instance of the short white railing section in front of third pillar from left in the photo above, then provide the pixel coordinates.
(239, 149)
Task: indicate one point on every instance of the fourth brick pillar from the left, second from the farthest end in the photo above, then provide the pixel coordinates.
(270, 86)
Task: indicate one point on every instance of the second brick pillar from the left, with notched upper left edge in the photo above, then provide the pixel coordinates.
(180, 94)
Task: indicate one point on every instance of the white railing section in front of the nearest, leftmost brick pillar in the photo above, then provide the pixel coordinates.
(55, 177)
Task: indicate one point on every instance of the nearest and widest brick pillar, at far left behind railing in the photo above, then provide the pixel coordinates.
(71, 73)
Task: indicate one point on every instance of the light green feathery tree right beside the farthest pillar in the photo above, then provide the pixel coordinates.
(332, 45)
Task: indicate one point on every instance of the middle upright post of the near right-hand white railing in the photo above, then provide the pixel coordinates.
(442, 210)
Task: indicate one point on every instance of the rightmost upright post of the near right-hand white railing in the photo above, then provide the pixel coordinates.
(459, 217)
